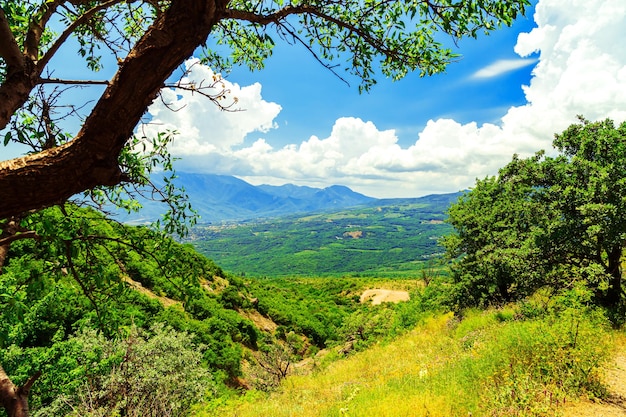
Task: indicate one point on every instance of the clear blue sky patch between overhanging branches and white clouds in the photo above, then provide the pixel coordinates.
(312, 98)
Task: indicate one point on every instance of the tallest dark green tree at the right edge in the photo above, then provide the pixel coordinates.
(586, 185)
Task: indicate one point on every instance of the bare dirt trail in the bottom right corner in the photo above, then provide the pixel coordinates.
(615, 405)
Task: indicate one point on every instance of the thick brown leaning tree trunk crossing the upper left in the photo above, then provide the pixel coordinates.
(43, 179)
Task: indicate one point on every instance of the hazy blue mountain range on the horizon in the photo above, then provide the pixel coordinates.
(219, 198)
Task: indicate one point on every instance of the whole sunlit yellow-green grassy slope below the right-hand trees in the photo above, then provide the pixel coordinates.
(492, 363)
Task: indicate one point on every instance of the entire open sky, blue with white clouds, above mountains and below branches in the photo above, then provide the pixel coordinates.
(509, 93)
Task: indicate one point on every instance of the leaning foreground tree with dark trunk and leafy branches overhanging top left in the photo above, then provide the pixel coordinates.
(150, 39)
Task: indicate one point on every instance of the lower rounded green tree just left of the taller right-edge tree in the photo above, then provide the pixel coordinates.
(492, 245)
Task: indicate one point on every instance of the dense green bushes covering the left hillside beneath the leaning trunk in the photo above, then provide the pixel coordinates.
(86, 272)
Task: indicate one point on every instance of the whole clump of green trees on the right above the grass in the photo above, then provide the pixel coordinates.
(546, 221)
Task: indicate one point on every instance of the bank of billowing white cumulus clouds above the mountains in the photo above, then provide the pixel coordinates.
(581, 69)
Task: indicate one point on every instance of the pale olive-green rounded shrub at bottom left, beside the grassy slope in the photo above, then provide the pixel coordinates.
(159, 373)
